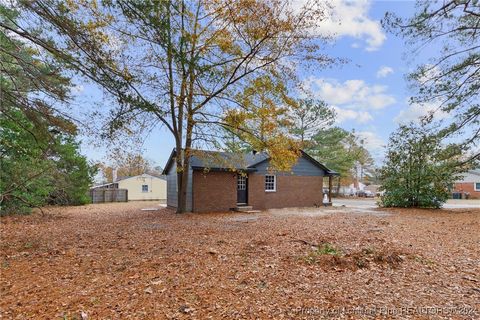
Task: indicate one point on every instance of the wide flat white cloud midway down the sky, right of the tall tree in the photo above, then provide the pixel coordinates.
(352, 94)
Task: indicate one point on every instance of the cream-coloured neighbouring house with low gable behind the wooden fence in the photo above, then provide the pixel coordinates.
(141, 187)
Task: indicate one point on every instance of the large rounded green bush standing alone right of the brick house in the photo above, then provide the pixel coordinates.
(419, 171)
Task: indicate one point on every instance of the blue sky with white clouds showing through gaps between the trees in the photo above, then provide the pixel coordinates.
(369, 93)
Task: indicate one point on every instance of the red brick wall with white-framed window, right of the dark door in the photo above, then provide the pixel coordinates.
(292, 191)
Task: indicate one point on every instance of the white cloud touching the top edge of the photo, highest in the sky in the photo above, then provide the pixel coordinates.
(350, 18)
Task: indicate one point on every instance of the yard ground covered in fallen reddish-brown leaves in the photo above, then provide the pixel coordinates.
(116, 261)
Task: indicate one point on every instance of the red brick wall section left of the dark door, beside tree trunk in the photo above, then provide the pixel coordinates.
(214, 191)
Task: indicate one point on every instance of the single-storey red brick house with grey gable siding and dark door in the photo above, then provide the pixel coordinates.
(222, 181)
